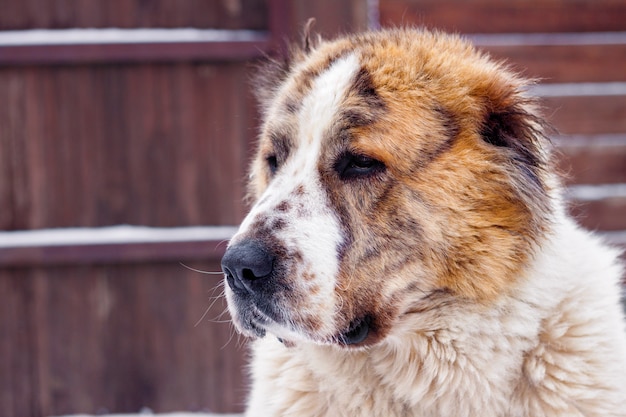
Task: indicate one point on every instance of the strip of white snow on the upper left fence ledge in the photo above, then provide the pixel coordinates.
(114, 35)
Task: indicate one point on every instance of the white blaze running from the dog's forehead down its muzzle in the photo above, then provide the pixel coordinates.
(313, 231)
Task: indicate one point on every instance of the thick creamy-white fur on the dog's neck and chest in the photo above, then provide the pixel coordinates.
(519, 356)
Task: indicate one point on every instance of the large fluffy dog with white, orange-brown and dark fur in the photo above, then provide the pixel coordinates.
(408, 252)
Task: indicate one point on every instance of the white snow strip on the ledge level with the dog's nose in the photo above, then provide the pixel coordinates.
(113, 235)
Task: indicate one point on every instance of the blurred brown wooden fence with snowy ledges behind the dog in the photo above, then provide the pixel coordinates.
(138, 112)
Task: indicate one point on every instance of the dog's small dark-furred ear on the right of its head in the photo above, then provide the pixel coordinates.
(510, 122)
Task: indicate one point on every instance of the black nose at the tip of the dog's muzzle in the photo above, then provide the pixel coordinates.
(245, 264)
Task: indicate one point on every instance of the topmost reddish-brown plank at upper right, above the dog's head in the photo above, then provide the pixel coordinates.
(489, 16)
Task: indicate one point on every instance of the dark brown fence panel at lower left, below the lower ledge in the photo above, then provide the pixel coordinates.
(85, 339)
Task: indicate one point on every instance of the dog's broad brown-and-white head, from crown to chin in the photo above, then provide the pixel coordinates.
(396, 173)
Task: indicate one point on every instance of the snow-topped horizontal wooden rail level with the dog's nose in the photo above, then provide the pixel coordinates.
(112, 245)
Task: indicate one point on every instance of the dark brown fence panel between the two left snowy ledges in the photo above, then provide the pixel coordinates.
(94, 141)
